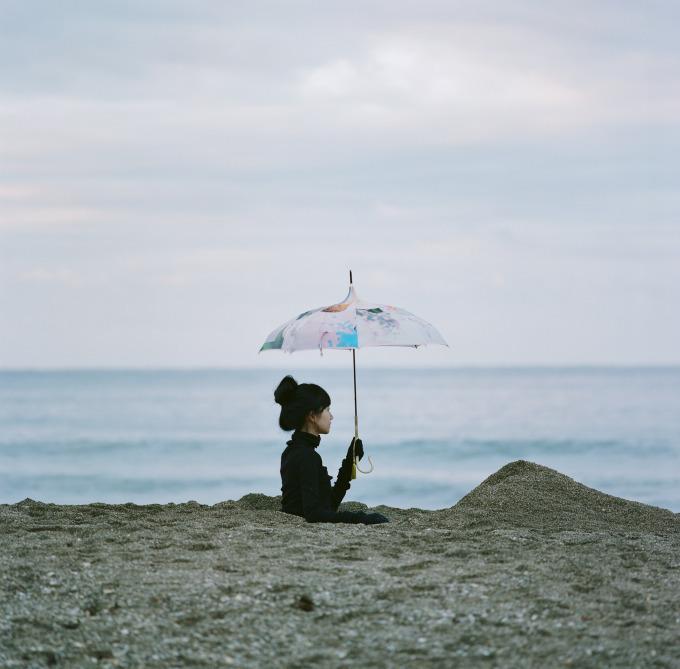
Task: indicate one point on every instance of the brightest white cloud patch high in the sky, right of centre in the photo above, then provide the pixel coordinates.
(439, 89)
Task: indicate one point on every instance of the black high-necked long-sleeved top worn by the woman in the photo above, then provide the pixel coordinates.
(306, 485)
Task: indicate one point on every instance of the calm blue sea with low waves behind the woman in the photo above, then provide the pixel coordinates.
(210, 435)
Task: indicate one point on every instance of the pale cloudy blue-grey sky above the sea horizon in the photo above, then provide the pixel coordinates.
(178, 177)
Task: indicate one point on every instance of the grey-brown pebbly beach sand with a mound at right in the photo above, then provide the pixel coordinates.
(530, 569)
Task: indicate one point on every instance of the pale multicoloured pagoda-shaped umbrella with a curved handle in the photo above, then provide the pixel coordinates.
(349, 325)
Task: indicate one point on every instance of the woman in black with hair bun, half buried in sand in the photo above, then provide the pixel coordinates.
(306, 485)
